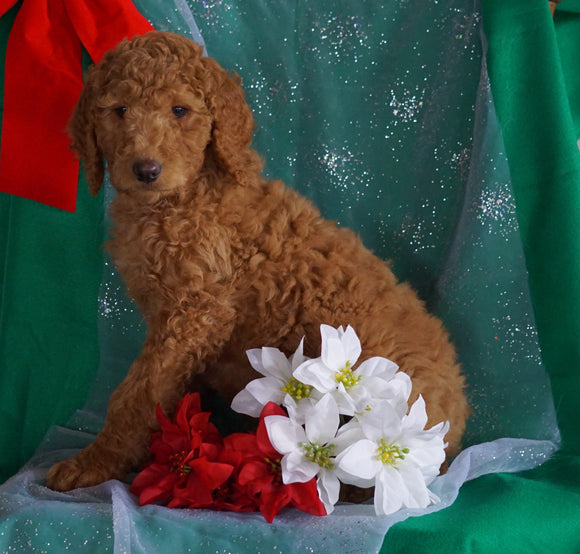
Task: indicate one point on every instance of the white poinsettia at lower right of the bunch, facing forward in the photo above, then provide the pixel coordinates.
(396, 455)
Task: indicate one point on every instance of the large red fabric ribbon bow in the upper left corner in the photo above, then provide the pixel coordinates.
(43, 82)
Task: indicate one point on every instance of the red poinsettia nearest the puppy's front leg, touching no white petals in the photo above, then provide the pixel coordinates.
(185, 469)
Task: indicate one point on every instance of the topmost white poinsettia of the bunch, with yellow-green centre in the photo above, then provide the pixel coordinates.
(353, 389)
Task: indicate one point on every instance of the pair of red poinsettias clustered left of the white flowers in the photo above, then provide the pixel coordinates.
(194, 467)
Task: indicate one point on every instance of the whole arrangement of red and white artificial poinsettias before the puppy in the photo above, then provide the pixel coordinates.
(322, 422)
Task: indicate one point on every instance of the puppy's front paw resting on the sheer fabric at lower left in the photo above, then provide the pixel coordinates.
(76, 473)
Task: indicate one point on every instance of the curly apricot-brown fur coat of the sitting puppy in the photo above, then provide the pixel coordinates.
(218, 259)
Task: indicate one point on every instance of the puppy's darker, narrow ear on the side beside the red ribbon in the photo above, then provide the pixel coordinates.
(81, 129)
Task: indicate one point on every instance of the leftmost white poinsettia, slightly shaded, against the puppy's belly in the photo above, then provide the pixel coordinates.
(278, 384)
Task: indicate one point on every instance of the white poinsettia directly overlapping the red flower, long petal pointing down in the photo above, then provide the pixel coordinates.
(309, 451)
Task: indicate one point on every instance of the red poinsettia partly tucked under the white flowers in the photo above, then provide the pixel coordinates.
(261, 474)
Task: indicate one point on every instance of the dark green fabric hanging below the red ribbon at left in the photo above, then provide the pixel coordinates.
(50, 269)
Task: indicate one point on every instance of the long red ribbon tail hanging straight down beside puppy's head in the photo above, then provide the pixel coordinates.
(43, 80)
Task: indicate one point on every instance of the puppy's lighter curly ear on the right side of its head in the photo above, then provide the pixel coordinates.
(233, 123)
